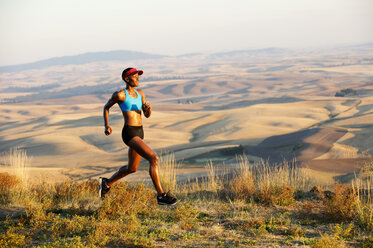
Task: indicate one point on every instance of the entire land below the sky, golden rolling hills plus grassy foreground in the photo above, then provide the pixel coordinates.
(265, 148)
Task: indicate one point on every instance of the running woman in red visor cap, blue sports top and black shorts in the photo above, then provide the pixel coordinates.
(131, 102)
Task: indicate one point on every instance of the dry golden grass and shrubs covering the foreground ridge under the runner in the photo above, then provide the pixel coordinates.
(245, 209)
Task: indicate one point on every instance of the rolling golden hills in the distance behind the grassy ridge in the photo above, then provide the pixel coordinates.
(270, 104)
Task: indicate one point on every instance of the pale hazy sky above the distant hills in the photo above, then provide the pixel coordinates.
(38, 29)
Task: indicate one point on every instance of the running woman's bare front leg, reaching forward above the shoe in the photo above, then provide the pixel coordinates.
(137, 144)
